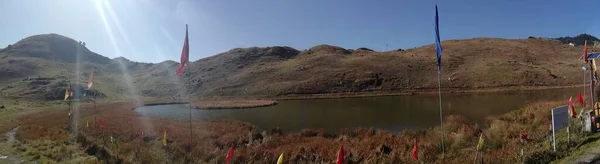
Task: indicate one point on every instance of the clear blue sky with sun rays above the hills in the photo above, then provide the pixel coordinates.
(153, 30)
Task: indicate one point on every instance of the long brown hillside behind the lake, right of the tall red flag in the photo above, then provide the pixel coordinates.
(467, 64)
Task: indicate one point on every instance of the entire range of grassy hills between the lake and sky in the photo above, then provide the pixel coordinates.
(38, 67)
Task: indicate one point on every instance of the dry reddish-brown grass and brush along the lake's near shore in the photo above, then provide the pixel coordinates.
(211, 139)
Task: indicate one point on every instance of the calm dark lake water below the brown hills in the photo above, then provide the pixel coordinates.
(393, 113)
